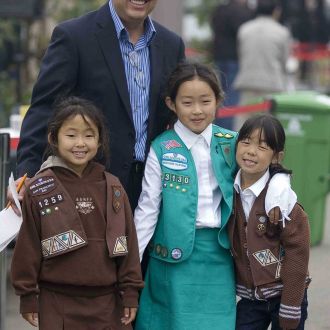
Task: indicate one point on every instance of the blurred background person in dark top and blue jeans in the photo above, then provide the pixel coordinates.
(225, 22)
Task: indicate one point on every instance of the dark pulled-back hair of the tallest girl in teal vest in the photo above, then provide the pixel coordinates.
(187, 71)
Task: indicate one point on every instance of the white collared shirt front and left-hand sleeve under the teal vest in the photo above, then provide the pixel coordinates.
(209, 194)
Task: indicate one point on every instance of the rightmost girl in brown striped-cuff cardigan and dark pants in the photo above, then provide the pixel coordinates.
(271, 261)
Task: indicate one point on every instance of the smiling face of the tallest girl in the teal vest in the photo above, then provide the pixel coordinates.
(195, 105)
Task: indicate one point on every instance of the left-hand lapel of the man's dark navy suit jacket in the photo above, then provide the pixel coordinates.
(109, 44)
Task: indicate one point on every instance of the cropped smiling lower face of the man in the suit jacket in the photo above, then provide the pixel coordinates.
(133, 11)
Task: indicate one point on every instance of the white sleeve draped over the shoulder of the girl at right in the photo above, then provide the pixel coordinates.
(280, 194)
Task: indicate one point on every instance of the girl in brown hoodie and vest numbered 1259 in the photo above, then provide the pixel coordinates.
(76, 263)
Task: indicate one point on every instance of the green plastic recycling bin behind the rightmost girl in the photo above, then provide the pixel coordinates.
(306, 119)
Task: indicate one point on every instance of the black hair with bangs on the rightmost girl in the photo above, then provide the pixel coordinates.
(274, 136)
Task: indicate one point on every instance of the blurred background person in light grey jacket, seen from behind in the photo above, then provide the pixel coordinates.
(263, 50)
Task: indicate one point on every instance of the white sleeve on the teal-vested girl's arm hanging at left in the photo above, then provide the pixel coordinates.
(146, 213)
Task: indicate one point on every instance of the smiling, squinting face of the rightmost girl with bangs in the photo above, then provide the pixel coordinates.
(254, 156)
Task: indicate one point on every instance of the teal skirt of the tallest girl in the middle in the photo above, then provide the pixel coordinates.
(196, 294)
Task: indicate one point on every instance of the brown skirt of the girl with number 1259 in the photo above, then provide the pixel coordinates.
(61, 312)
